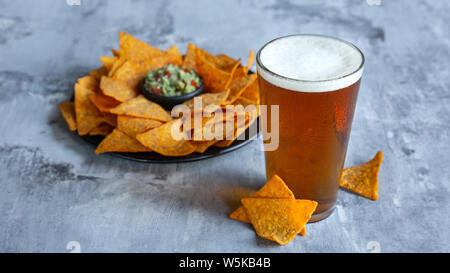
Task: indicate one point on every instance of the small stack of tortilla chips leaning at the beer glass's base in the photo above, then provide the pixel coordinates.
(275, 213)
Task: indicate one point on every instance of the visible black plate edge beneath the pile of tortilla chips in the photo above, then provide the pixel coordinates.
(212, 151)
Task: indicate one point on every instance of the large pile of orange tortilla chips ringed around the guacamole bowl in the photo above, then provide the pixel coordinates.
(107, 101)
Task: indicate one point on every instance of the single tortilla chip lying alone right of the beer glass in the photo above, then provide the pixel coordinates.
(363, 179)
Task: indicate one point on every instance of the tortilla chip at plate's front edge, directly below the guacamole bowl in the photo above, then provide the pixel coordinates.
(161, 141)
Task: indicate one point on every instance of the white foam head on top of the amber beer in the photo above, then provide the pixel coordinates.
(310, 63)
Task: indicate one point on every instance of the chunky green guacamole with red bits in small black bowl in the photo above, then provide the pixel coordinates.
(172, 81)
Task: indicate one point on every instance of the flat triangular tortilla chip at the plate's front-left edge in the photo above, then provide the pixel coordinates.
(120, 142)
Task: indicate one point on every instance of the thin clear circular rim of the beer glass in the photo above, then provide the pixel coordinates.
(262, 66)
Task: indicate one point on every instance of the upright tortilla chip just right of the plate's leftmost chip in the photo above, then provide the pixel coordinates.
(87, 115)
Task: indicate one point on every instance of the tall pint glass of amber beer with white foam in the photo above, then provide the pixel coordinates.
(314, 80)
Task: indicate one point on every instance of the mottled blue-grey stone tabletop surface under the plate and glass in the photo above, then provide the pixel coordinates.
(54, 190)
